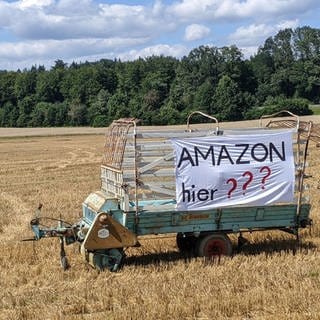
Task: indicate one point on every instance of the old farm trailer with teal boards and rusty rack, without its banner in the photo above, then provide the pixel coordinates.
(138, 196)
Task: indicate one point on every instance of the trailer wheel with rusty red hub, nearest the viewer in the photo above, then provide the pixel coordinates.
(214, 245)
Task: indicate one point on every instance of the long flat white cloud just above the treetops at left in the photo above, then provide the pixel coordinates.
(47, 51)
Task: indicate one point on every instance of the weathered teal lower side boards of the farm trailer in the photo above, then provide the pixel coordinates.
(227, 220)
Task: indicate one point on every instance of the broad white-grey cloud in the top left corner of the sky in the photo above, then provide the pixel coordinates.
(65, 19)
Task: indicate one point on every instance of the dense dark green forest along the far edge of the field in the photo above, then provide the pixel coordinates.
(283, 74)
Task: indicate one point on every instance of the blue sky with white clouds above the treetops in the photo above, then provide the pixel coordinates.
(39, 32)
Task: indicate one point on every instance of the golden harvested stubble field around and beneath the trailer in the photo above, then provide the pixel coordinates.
(268, 279)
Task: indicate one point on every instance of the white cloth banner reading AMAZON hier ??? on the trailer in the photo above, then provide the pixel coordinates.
(219, 171)
